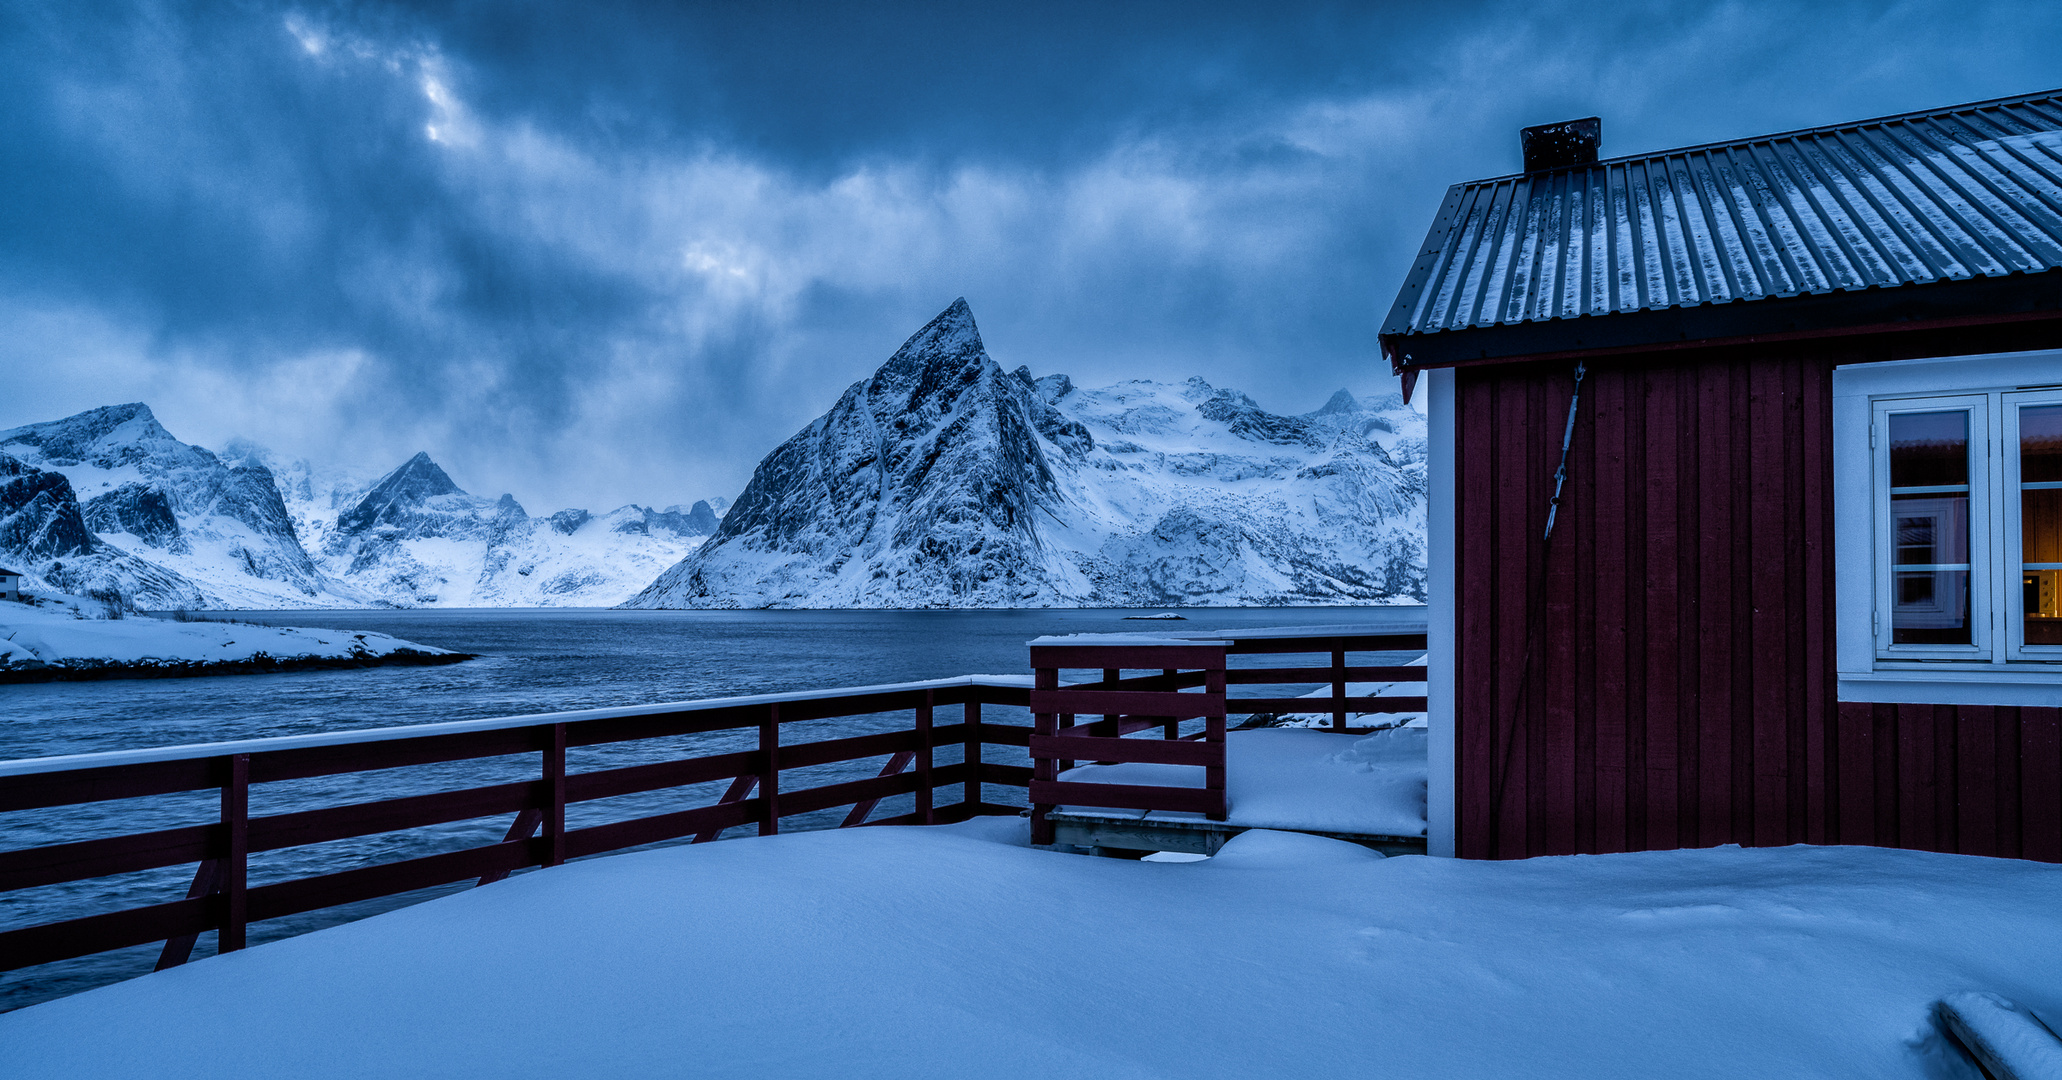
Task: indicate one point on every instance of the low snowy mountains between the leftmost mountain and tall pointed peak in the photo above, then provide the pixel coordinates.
(418, 539)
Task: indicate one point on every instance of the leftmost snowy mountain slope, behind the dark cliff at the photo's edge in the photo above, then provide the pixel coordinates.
(226, 527)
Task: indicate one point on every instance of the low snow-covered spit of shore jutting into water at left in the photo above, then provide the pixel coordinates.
(73, 638)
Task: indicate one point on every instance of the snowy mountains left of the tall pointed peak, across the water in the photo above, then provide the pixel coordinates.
(108, 500)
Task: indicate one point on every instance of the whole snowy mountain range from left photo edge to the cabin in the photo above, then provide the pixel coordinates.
(941, 481)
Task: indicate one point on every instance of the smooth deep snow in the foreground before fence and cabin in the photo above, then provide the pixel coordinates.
(952, 953)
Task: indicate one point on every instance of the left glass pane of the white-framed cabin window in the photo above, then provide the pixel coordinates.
(1931, 529)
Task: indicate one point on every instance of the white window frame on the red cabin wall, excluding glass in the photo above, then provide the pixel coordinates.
(1999, 667)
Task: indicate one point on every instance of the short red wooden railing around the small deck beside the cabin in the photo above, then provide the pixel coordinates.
(1162, 702)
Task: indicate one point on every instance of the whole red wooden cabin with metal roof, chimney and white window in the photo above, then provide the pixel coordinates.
(1805, 570)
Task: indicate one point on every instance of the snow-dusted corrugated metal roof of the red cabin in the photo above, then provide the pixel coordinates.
(1948, 195)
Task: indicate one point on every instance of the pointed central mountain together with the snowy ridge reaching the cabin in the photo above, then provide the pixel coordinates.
(945, 481)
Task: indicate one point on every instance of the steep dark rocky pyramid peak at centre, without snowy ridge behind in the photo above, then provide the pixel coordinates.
(925, 485)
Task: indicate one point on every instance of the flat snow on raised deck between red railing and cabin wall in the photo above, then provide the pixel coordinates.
(1294, 778)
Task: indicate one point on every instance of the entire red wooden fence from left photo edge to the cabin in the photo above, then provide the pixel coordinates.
(224, 902)
